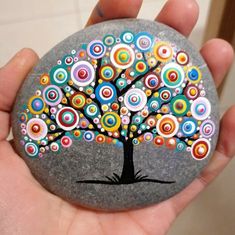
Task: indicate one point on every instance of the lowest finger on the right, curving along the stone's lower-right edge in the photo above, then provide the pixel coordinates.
(224, 152)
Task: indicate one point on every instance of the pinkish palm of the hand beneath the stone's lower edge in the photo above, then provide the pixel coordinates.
(35, 208)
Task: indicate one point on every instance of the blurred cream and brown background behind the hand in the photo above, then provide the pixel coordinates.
(42, 24)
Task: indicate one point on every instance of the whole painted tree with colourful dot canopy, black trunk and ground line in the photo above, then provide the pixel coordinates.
(121, 90)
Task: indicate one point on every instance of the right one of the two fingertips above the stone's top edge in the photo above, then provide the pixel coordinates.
(181, 15)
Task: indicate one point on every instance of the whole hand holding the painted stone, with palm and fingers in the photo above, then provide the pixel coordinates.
(27, 208)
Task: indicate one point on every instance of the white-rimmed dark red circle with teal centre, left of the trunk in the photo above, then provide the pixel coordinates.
(67, 118)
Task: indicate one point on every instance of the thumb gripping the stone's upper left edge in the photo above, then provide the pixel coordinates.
(13, 74)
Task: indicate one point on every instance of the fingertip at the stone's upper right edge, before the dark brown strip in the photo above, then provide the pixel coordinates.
(219, 56)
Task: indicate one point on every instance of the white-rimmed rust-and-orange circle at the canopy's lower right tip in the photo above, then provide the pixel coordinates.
(200, 149)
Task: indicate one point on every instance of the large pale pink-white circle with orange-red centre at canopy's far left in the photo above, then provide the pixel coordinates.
(36, 129)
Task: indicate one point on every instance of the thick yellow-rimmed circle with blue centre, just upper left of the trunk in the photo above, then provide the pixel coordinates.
(110, 121)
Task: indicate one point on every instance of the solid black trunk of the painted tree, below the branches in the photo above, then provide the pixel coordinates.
(128, 170)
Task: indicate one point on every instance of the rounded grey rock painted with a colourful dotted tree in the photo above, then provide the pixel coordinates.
(120, 115)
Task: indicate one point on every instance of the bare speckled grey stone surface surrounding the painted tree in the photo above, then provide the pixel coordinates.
(59, 171)
